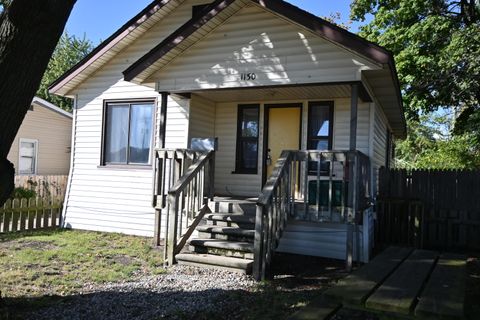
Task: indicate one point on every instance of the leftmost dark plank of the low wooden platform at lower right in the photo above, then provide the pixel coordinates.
(357, 287)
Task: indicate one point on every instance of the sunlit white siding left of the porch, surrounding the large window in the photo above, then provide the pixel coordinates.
(109, 199)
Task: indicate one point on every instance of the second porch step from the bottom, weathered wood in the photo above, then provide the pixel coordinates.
(234, 249)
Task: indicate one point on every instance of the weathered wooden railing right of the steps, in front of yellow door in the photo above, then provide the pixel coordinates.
(294, 192)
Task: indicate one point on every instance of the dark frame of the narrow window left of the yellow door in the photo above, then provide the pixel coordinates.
(239, 168)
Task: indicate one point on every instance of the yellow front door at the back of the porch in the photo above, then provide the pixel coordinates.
(283, 132)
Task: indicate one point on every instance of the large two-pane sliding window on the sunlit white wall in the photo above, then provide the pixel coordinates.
(128, 133)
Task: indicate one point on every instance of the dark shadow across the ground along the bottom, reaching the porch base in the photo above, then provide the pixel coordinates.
(296, 281)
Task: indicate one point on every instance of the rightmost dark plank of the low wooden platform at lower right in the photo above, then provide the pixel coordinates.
(443, 297)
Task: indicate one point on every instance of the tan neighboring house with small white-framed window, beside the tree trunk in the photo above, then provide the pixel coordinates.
(42, 144)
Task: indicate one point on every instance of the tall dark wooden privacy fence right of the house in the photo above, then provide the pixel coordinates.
(429, 208)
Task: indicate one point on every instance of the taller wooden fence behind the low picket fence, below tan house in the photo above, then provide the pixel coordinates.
(46, 187)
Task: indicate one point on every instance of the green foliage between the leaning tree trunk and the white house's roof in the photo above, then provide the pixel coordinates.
(70, 50)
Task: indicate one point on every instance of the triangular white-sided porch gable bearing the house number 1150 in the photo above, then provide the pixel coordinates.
(257, 41)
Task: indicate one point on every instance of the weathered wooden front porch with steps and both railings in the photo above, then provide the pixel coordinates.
(244, 235)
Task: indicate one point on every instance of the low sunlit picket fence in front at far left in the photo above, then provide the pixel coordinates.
(29, 214)
